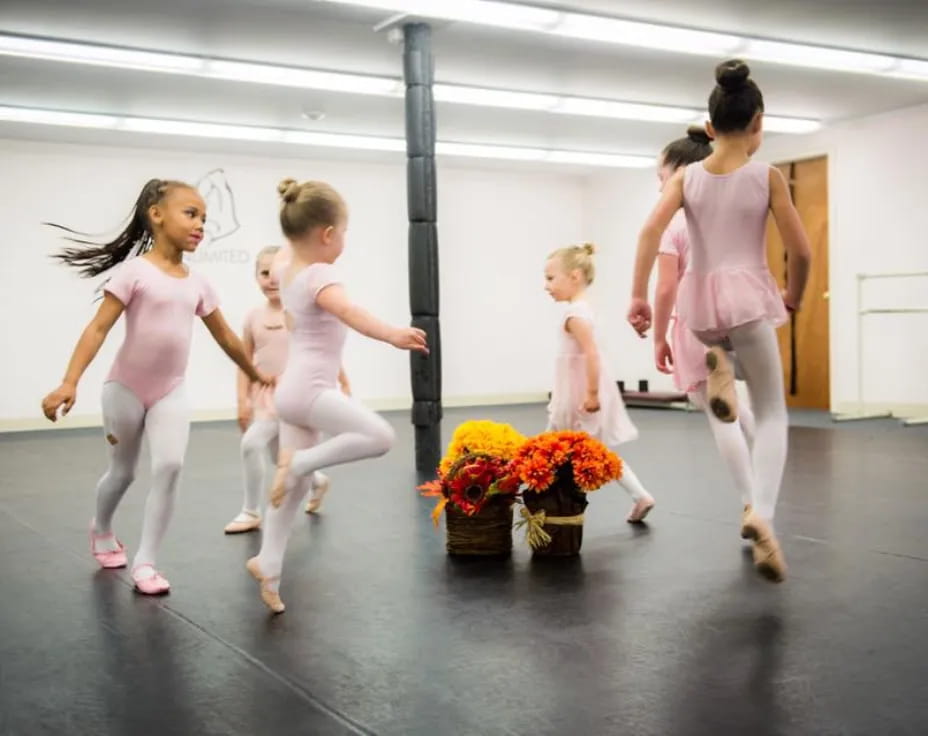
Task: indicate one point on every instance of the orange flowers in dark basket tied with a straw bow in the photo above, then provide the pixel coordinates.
(556, 470)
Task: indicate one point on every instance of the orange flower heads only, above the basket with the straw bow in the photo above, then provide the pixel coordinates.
(565, 457)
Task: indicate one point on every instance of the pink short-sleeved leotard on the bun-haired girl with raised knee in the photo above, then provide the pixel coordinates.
(316, 341)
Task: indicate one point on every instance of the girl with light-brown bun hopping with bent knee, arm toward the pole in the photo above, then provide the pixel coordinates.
(313, 217)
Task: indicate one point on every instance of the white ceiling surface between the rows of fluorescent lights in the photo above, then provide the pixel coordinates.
(321, 35)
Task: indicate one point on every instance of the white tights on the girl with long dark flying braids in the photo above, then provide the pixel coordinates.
(167, 425)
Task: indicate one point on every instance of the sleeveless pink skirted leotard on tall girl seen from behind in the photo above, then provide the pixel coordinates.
(727, 282)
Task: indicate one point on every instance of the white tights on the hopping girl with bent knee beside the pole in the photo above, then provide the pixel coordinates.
(354, 433)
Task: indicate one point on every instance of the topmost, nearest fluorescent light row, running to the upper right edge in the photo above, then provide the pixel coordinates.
(673, 39)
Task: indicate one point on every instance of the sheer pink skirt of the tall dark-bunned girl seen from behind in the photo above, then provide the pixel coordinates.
(726, 298)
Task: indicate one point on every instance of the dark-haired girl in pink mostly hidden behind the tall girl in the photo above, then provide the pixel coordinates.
(687, 358)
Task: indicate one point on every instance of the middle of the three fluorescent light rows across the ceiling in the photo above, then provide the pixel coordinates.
(299, 78)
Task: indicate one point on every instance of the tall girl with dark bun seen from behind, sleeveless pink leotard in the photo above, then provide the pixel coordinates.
(728, 297)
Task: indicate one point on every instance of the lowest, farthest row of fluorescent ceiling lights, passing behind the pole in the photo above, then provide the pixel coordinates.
(323, 140)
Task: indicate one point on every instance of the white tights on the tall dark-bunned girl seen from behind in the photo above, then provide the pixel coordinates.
(758, 355)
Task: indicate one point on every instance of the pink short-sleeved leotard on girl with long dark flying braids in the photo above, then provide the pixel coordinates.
(159, 309)
